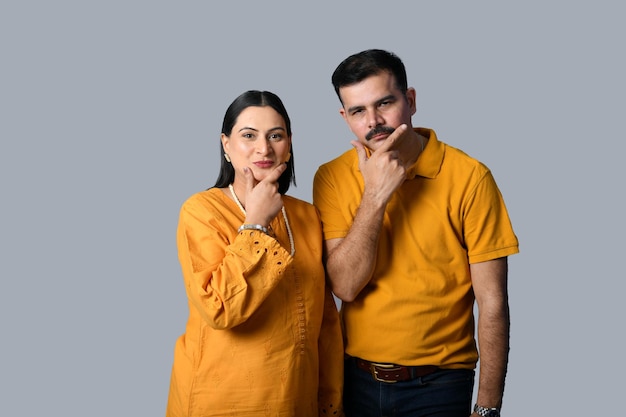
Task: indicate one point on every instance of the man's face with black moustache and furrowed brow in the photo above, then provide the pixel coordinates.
(375, 107)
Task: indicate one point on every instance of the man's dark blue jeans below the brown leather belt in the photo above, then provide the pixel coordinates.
(445, 393)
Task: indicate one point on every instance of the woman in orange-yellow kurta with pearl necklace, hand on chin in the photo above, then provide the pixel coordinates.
(263, 335)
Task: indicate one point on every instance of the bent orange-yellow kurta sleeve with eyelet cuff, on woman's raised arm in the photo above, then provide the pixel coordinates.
(226, 281)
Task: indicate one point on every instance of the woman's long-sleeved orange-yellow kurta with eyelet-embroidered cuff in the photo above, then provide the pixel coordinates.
(263, 335)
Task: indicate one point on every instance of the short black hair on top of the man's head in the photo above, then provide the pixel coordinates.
(364, 64)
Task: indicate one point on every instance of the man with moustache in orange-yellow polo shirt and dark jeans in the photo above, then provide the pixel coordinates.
(415, 231)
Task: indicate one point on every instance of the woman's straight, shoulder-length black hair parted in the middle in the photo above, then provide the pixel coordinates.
(254, 98)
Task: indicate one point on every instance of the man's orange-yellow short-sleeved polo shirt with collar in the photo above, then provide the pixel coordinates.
(418, 307)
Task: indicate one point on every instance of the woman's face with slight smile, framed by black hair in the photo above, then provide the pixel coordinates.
(258, 141)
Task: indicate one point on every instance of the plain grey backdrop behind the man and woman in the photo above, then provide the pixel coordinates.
(110, 115)
